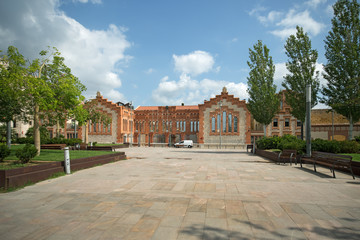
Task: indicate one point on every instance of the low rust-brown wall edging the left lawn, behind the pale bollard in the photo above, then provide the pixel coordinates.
(21, 176)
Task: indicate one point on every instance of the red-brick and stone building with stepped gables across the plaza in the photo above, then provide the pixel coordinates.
(221, 122)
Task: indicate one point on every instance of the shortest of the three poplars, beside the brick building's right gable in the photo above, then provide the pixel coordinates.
(263, 100)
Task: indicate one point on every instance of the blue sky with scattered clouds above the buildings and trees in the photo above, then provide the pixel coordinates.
(163, 52)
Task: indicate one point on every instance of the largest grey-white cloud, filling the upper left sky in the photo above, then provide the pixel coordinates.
(95, 56)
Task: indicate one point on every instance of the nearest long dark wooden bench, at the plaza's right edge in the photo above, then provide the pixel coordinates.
(331, 160)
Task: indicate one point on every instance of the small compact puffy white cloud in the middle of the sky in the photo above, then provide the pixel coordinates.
(194, 63)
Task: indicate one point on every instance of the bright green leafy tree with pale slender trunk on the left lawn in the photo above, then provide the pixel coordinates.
(52, 90)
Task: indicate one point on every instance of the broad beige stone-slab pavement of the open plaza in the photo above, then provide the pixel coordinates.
(163, 193)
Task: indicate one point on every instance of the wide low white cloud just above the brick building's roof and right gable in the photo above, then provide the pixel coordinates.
(189, 91)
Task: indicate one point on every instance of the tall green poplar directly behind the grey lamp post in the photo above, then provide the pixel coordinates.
(301, 65)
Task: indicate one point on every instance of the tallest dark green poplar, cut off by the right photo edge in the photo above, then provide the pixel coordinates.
(342, 72)
